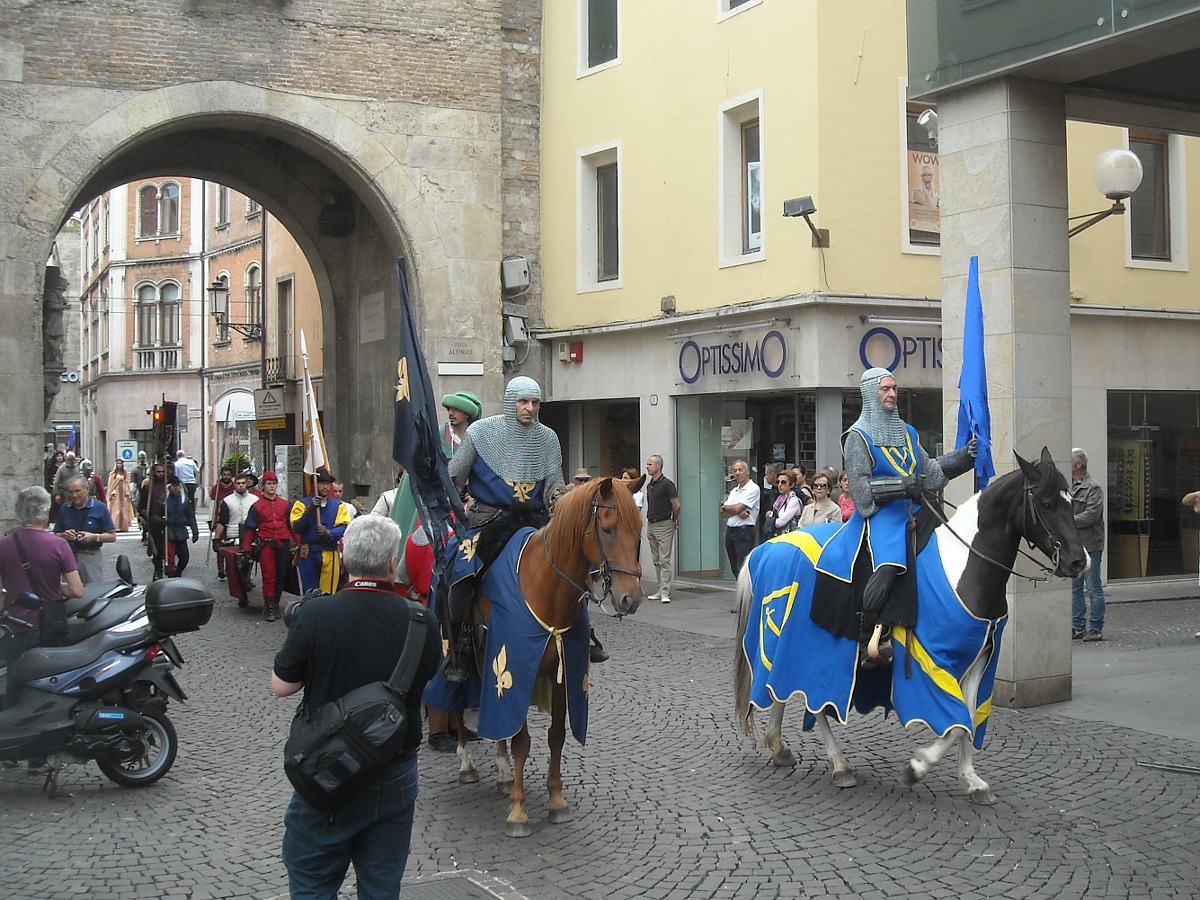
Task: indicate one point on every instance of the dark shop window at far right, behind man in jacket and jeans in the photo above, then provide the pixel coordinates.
(1154, 460)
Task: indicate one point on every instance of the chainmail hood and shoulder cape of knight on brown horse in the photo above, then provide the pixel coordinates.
(514, 452)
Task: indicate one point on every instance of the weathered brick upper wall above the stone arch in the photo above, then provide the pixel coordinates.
(437, 52)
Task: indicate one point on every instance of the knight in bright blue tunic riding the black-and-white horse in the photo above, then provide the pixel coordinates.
(890, 472)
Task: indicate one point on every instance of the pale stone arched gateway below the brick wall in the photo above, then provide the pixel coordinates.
(418, 183)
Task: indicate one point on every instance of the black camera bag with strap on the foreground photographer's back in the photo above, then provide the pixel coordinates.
(352, 740)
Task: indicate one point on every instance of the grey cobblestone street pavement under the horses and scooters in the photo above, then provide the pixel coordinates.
(670, 800)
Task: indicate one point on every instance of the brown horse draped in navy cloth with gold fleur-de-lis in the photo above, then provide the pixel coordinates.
(589, 550)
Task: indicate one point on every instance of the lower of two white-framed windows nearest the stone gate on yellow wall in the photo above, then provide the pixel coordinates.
(599, 225)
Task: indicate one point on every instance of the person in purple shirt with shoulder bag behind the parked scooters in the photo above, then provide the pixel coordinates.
(39, 562)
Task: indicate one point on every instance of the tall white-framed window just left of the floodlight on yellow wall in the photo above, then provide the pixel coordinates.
(741, 181)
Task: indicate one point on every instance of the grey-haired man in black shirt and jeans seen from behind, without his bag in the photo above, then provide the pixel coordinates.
(334, 646)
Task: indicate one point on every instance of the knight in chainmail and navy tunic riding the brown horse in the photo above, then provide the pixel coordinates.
(508, 465)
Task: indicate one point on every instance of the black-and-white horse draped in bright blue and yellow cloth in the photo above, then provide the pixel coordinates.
(945, 665)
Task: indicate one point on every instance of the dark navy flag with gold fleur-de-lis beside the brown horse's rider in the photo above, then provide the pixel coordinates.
(416, 443)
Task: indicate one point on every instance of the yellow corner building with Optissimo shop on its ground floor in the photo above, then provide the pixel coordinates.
(681, 305)
